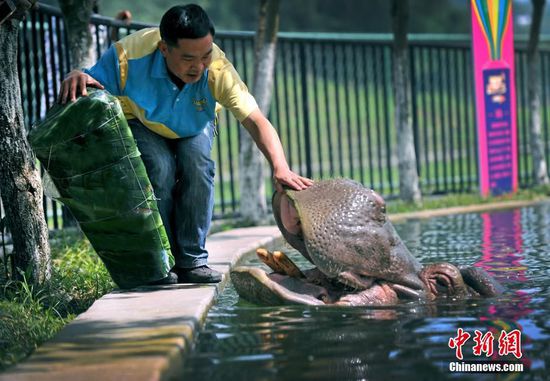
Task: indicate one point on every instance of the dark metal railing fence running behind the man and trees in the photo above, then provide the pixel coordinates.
(333, 104)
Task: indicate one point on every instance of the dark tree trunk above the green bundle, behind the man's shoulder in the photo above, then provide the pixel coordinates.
(76, 14)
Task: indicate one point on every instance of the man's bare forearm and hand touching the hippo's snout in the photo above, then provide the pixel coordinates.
(268, 142)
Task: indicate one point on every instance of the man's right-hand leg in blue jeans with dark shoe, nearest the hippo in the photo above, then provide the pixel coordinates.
(194, 201)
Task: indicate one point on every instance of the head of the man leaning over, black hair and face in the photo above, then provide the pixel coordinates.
(187, 34)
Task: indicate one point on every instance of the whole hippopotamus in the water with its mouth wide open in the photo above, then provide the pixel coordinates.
(342, 228)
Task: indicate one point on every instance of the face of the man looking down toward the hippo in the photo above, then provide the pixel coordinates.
(189, 58)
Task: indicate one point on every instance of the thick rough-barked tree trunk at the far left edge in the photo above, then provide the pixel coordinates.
(20, 183)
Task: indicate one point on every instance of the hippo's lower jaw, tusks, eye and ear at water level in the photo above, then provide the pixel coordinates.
(287, 284)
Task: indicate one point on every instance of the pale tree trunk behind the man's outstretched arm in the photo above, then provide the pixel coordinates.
(253, 205)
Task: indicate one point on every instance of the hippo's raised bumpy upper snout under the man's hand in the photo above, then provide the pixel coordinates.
(342, 228)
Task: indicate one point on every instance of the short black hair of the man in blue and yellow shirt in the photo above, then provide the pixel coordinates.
(185, 21)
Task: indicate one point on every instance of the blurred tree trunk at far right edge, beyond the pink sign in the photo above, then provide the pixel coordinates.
(533, 89)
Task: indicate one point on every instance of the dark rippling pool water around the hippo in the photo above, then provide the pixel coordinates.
(410, 341)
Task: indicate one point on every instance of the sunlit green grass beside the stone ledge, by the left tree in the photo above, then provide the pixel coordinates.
(30, 315)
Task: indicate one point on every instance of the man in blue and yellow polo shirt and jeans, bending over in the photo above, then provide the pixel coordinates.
(168, 81)
